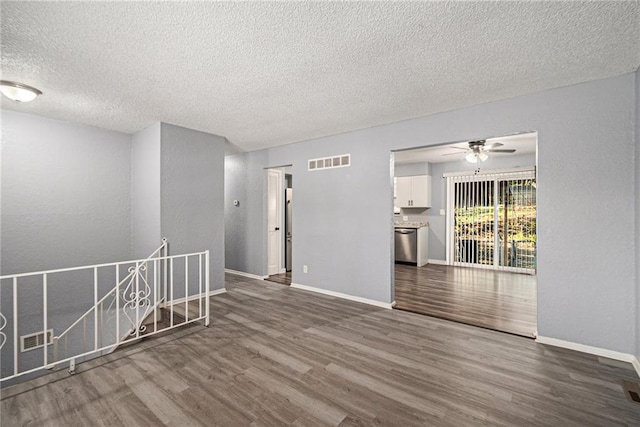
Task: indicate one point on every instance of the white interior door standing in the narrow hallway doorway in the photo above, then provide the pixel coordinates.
(274, 219)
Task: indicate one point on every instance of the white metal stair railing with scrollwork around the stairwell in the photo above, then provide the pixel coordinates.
(171, 283)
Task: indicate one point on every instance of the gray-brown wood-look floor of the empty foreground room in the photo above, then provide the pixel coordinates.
(277, 356)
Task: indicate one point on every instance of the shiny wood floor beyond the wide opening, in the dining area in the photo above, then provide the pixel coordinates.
(491, 299)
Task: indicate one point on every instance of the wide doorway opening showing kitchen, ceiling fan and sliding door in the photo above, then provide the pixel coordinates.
(475, 260)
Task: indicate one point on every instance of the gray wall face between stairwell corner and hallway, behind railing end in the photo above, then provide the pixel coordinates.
(192, 194)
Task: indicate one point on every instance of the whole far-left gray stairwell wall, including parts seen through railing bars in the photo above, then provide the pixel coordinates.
(65, 203)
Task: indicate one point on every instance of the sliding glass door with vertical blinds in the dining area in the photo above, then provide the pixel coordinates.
(491, 220)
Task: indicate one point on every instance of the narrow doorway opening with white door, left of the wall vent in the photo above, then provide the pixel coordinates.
(279, 224)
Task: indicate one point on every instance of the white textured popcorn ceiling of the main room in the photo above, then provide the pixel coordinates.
(266, 74)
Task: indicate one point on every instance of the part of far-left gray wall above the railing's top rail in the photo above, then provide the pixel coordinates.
(65, 194)
